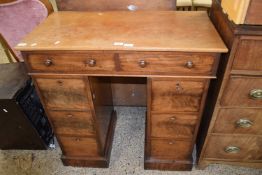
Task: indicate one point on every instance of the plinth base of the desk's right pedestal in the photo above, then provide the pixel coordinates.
(155, 164)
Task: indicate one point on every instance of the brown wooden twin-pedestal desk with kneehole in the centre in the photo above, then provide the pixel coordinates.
(72, 57)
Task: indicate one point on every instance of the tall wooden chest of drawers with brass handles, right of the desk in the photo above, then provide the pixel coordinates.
(231, 127)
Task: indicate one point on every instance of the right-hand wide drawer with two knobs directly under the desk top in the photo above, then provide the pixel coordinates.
(159, 63)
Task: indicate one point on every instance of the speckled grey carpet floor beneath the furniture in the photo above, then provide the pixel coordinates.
(126, 158)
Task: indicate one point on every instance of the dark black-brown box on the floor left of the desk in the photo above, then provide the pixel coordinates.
(23, 123)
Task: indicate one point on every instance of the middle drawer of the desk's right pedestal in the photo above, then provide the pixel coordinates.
(173, 125)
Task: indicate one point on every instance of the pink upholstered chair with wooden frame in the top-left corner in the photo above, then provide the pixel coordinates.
(19, 17)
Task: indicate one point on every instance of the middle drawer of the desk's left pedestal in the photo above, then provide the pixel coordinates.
(72, 123)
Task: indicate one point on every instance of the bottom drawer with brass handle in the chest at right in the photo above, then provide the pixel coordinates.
(239, 147)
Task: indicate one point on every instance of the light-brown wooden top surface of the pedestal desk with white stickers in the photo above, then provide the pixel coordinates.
(120, 30)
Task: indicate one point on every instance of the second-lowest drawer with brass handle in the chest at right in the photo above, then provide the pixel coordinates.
(239, 121)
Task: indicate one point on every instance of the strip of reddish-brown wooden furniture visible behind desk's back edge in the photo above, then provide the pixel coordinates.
(109, 5)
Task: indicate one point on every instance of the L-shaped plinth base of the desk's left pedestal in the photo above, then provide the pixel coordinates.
(95, 162)
